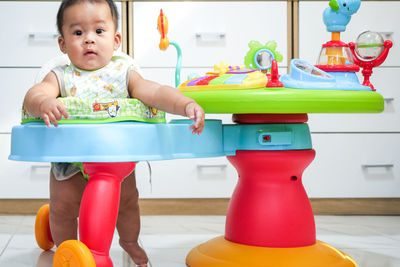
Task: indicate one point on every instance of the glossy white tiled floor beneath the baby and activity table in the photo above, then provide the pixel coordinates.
(371, 241)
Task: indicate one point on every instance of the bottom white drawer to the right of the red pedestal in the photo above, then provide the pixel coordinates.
(354, 165)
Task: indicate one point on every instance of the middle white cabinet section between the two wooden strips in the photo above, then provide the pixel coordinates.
(208, 33)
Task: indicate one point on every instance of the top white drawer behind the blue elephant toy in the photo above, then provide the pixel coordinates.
(379, 16)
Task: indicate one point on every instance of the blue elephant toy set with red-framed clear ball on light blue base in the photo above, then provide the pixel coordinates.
(338, 61)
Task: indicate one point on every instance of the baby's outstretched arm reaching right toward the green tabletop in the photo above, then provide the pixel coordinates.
(167, 99)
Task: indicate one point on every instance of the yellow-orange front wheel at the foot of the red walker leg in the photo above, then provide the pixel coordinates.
(73, 253)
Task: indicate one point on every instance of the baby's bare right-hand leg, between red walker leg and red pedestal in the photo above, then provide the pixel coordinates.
(128, 223)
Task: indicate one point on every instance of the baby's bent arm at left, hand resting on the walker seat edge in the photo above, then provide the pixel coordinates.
(41, 101)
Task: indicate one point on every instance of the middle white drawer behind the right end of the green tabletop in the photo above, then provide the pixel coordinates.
(385, 81)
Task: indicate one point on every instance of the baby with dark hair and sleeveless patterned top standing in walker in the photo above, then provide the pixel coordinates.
(88, 35)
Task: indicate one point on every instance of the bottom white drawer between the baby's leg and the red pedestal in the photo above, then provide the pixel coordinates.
(187, 178)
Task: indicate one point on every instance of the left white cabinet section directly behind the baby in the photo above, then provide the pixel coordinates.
(28, 40)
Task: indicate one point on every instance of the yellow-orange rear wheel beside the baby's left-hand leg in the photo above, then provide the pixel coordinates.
(42, 228)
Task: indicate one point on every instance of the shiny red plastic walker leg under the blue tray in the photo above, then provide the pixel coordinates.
(99, 207)
